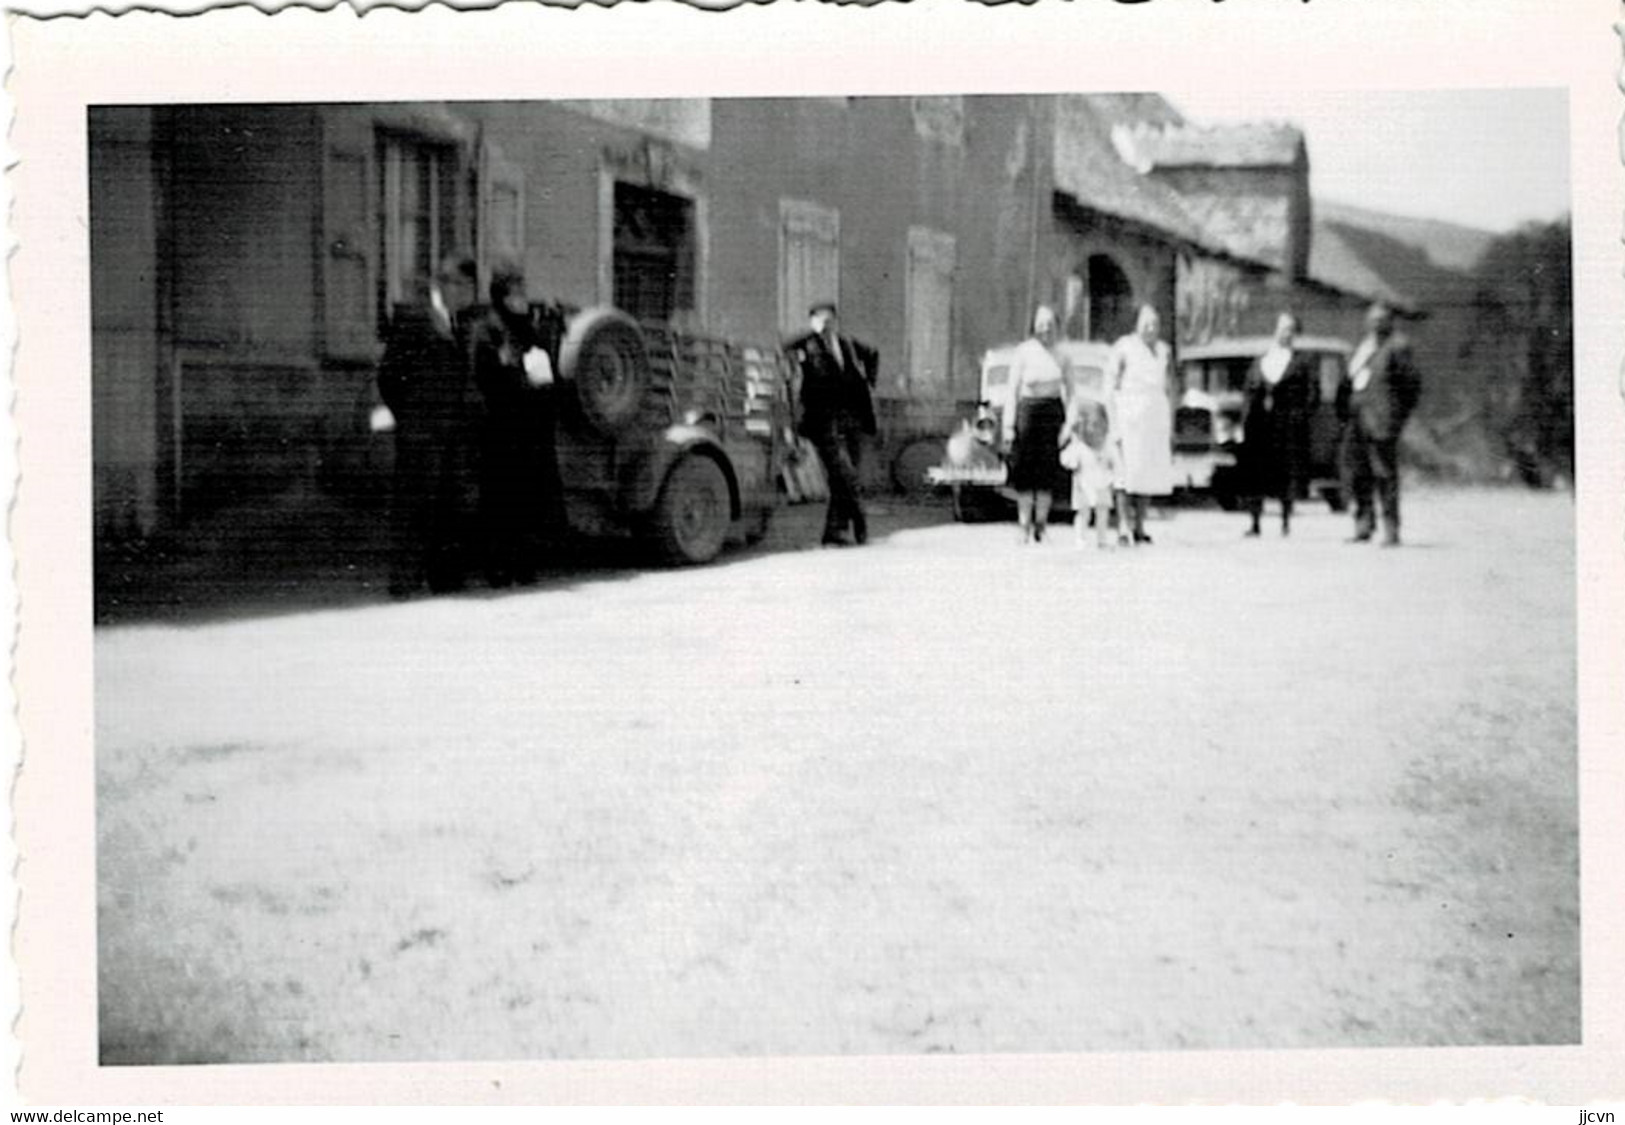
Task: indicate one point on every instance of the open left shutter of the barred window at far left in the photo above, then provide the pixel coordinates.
(349, 251)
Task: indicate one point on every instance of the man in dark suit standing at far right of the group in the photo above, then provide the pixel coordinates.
(1374, 402)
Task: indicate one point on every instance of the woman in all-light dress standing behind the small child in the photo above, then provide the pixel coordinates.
(1138, 376)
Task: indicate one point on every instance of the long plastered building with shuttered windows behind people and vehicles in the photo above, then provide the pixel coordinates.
(245, 258)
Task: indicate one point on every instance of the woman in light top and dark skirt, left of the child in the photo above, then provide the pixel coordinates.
(1033, 424)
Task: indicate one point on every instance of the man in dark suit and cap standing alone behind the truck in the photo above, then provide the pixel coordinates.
(838, 412)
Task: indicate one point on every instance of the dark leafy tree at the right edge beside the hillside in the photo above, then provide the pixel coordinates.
(1523, 341)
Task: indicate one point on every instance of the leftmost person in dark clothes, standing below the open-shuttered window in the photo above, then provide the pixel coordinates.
(425, 381)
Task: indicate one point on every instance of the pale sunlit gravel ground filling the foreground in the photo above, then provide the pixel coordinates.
(942, 794)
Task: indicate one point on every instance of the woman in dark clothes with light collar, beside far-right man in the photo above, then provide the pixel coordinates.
(1283, 391)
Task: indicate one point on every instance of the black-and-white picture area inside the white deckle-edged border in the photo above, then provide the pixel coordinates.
(932, 573)
